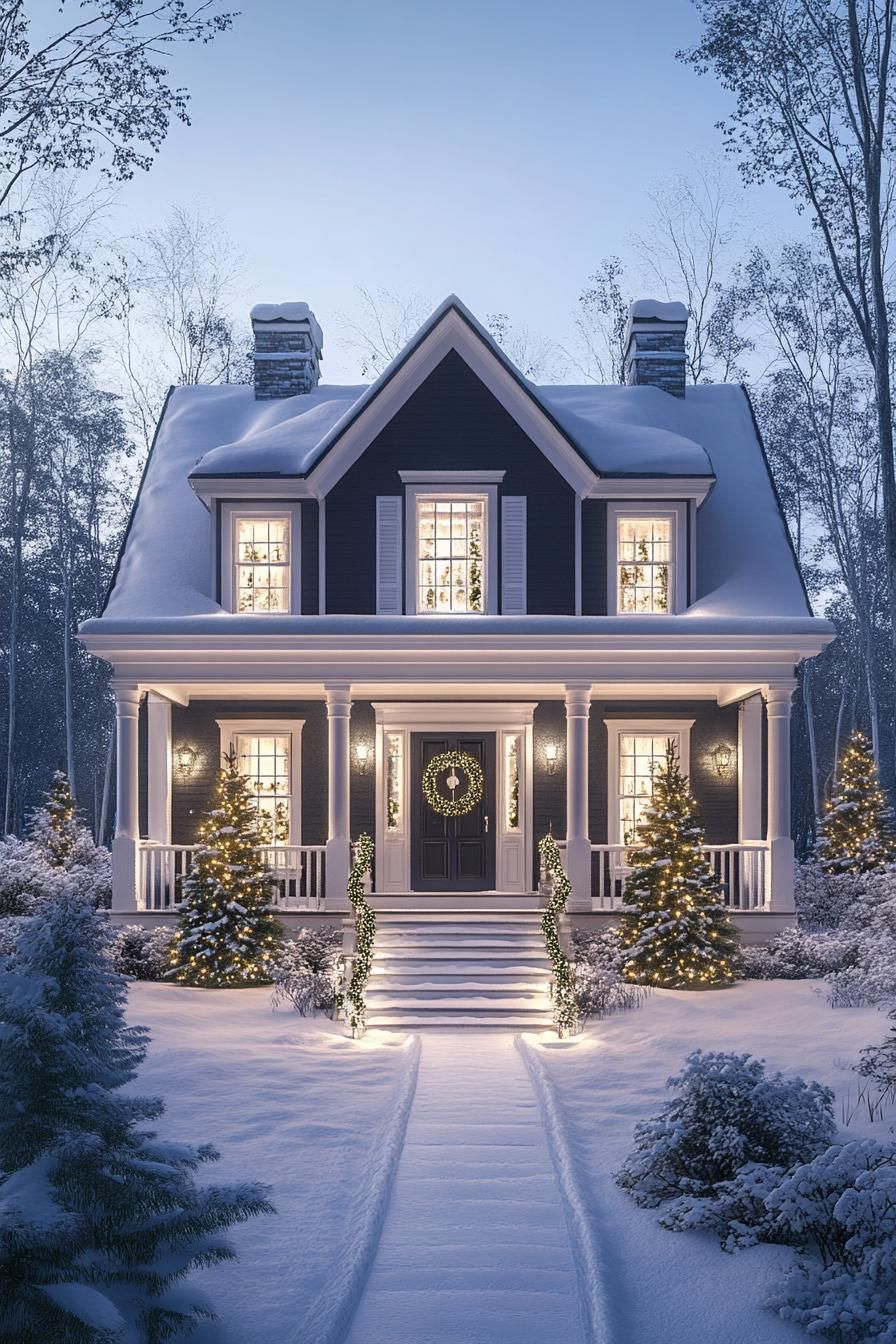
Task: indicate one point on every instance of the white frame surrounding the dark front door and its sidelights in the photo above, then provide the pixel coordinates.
(514, 865)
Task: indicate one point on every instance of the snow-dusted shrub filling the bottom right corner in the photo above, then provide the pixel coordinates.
(843, 1208)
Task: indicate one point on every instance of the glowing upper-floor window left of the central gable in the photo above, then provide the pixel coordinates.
(260, 550)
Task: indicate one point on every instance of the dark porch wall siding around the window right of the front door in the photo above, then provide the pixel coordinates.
(718, 798)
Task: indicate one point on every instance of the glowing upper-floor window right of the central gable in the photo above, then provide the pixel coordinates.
(648, 560)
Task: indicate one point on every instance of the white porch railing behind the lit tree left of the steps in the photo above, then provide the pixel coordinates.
(299, 872)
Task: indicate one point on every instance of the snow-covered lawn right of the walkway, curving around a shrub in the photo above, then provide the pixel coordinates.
(672, 1287)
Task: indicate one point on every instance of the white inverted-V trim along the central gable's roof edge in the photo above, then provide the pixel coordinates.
(451, 333)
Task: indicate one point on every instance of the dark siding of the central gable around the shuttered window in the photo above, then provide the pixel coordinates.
(452, 423)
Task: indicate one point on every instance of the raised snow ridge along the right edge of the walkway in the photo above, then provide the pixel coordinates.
(590, 1263)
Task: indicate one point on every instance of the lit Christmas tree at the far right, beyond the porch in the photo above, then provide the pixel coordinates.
(856, 833)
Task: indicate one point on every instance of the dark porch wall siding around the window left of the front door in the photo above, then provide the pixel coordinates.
(197, 728)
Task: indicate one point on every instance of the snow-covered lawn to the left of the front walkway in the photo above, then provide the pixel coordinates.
(289, 1101)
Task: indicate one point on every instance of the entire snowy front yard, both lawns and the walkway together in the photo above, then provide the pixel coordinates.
(503, 1195)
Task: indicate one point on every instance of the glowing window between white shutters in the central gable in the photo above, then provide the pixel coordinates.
(451, 556)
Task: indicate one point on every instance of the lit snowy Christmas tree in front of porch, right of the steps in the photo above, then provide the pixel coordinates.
(676, 932)
